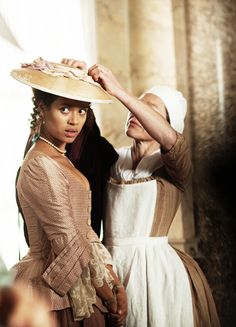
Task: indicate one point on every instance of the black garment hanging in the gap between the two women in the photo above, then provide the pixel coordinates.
(93, 155)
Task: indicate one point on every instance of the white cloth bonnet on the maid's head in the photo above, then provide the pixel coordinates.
(175, 103)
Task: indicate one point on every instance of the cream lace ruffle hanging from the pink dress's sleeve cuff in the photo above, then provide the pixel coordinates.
(83, 293)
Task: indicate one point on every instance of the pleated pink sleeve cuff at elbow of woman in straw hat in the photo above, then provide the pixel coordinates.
(67, 267)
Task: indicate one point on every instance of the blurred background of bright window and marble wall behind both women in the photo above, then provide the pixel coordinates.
(187, 44)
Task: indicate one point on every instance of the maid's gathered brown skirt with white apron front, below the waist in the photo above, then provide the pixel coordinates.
(165, 287)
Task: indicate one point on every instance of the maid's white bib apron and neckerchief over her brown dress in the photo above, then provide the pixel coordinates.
(155, 278)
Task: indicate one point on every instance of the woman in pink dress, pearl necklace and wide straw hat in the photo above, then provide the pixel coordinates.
(66, 263)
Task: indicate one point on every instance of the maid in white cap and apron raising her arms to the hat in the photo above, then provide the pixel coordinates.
(165, 287)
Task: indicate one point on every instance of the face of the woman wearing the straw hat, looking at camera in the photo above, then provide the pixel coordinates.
(63, 120)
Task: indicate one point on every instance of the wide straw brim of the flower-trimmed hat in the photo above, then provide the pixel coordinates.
(62, 86)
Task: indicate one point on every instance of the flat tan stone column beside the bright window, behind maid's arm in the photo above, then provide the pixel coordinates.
(113, 52)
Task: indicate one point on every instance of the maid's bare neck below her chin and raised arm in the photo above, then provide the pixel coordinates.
(140, 149)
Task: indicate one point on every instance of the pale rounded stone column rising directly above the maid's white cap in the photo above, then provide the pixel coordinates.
(152, 54)
